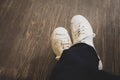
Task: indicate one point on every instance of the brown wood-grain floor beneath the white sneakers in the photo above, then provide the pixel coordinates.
(26, 26)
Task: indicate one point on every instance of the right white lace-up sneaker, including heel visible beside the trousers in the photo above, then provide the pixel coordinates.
(82, 32)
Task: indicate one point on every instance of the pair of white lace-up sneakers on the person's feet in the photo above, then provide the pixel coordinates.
(82, 32)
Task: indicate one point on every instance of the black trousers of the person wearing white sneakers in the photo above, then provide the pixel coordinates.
(80, 62)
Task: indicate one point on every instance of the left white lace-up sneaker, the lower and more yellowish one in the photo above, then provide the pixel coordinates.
(60, 40)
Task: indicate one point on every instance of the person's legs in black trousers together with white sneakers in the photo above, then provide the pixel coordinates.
(79, 62)
